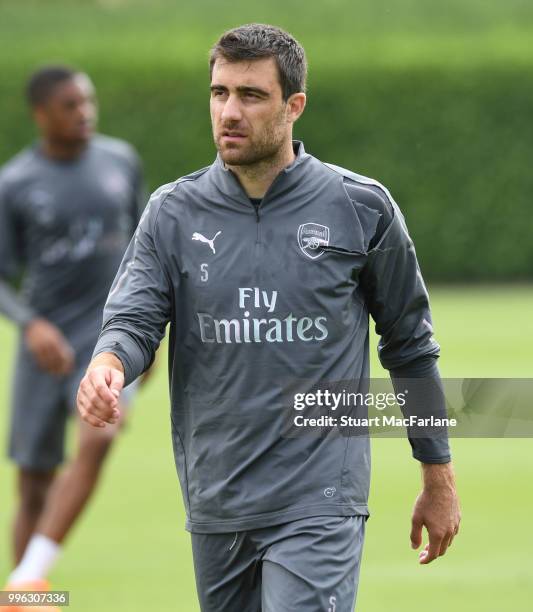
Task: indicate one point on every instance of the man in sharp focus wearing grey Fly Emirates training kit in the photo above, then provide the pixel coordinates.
(266, 264)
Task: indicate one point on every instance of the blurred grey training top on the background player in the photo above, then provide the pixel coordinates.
(65, 224)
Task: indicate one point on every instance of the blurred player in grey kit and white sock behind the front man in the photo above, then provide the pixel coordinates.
(68, 207)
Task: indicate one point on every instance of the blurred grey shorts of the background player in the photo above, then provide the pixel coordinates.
(41, 404)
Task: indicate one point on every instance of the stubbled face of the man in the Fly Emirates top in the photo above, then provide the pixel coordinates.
(249, 118)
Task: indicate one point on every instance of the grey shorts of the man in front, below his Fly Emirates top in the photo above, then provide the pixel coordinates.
(308, 565)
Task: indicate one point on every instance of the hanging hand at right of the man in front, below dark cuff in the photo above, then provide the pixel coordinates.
(437, 509)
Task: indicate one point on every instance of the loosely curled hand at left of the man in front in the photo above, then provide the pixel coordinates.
(100, 389)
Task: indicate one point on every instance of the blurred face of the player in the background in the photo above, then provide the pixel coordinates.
(70, 112)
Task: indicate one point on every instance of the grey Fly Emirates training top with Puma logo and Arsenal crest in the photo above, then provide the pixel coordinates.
(257, 298)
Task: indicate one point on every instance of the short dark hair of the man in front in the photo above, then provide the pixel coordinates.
(257, 41)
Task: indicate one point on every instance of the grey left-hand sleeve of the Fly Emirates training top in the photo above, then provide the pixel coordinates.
(139, 303)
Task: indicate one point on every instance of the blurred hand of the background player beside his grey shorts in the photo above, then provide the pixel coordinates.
(49, 347)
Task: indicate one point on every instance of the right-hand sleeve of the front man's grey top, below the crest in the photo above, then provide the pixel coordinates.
(398, 301)
